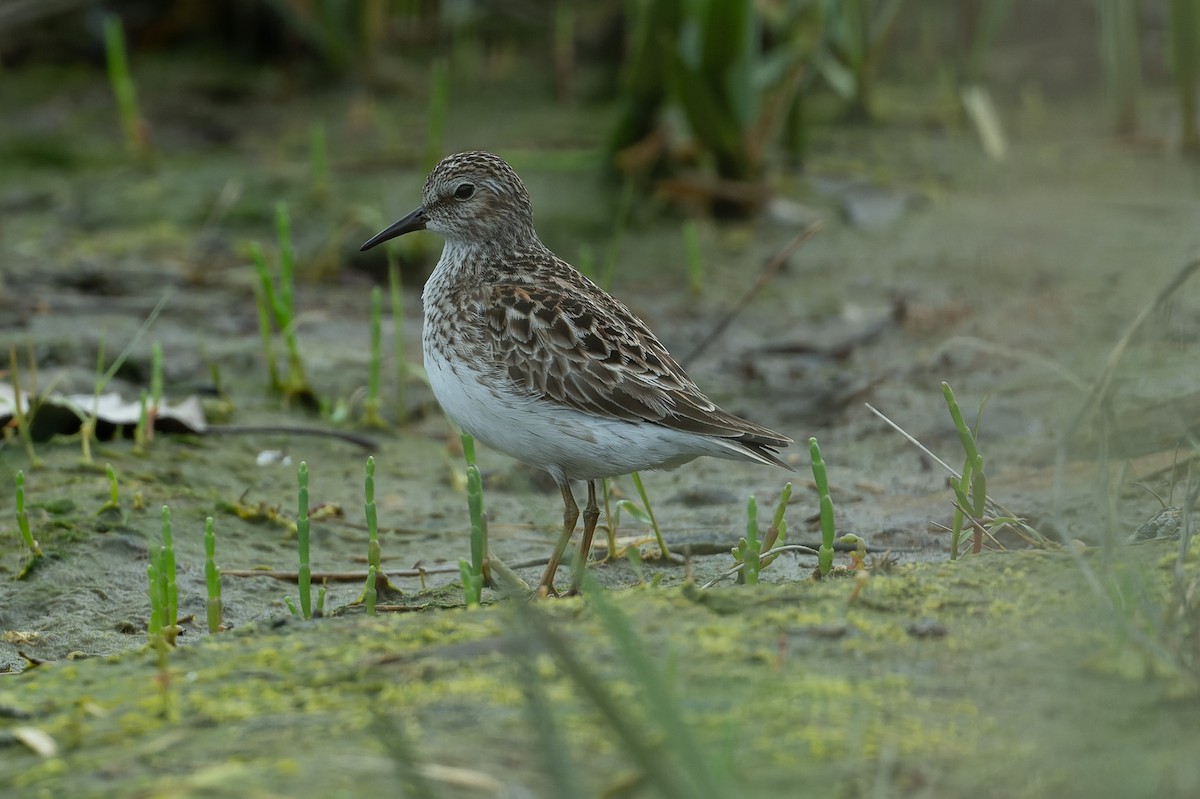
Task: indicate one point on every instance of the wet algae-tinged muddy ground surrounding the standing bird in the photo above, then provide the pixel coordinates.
(1012, 281)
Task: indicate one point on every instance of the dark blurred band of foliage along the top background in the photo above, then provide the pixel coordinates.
(710, 98)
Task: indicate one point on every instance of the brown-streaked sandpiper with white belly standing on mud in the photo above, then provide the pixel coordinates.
(533, 359)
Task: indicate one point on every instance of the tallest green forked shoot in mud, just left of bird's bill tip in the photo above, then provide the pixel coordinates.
(277, 305)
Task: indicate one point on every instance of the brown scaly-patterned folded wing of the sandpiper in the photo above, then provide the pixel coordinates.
(603, 361)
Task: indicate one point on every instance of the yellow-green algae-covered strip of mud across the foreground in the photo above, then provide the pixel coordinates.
(994, 677)
